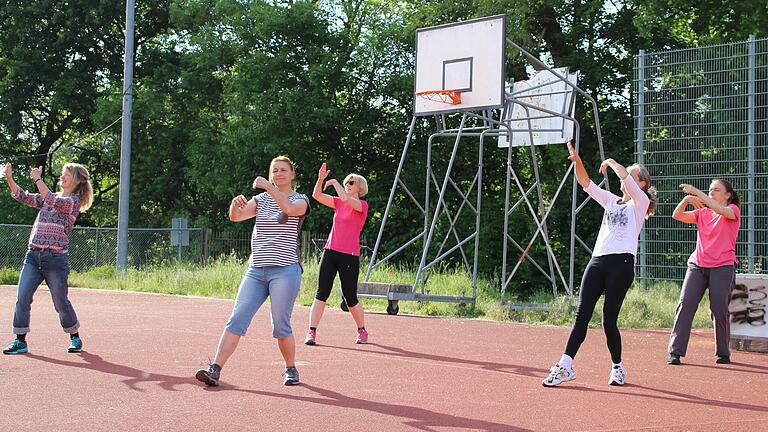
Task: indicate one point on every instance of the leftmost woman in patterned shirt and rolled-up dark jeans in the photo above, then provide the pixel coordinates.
(48, 256)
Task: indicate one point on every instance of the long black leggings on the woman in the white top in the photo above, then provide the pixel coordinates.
(612, 275)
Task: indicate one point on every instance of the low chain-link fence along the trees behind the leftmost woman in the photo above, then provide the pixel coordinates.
(91, 247)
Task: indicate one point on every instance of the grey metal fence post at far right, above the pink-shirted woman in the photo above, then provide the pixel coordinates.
(751, 159)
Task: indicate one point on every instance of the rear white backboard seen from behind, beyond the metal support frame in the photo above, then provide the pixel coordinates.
(547, 91)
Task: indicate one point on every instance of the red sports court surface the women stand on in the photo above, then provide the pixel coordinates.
(417, 374)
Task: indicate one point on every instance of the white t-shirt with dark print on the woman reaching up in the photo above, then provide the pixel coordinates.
(622, 223)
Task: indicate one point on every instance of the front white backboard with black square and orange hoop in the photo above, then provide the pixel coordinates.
(468, 57)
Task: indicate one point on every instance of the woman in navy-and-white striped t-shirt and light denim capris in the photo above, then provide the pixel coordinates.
(274, 268)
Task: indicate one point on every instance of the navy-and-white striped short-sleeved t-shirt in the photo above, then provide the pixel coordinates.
(276, 238)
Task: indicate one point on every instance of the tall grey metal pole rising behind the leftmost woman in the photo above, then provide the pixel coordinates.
(125, 142)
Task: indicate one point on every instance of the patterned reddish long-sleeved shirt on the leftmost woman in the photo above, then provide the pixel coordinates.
(55, 220)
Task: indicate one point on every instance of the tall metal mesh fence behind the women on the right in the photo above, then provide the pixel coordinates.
(701, 114)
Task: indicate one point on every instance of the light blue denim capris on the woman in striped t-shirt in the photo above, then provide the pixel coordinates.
(280, 284)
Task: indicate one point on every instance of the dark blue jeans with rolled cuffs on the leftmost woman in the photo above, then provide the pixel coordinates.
(54, 269)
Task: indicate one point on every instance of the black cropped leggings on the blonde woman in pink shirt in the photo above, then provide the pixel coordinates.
(348, 268)
